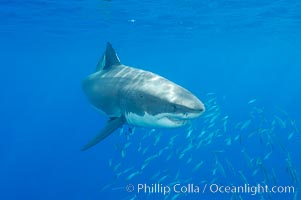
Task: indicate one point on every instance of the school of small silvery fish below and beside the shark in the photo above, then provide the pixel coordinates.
(217, 148)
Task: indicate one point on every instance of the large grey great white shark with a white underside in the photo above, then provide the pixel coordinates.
(137, 97)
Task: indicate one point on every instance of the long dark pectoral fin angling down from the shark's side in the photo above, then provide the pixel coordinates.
(112, 125)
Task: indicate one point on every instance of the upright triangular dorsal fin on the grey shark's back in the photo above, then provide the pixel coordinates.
(109, 58)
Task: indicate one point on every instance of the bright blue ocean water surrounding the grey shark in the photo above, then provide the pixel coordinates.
(242, 58)
